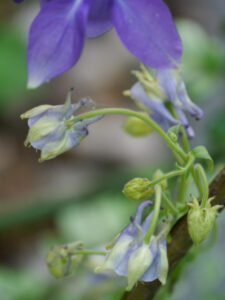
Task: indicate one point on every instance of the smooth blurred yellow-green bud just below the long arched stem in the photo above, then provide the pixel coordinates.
(136, 127)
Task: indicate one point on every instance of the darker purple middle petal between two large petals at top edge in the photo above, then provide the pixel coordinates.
(99, 20)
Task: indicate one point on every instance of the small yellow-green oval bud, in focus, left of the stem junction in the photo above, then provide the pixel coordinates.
(138, 189)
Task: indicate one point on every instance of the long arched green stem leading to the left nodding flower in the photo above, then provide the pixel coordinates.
(122, 111)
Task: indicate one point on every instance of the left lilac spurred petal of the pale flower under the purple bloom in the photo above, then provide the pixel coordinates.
(154, 104)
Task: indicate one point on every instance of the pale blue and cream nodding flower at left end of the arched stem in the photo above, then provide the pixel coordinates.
(49, 131)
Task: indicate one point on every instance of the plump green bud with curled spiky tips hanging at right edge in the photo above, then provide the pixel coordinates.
(201, 220)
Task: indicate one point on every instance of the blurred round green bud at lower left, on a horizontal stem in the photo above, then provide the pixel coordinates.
(61, 261)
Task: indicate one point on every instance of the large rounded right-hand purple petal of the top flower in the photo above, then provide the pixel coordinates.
(147, 30)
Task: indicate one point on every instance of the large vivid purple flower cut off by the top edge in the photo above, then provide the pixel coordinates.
(58, 33)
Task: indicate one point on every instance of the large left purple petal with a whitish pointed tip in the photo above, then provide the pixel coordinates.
(56, 39)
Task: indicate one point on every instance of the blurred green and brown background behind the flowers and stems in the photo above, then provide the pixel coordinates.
(78, 195)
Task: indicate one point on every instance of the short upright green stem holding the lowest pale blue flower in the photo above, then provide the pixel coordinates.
(158, 196)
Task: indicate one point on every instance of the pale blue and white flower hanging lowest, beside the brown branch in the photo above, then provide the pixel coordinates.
(129, 256)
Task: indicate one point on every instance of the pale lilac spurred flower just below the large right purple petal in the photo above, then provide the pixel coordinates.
(152, 93)
